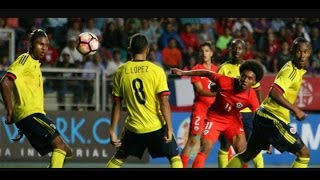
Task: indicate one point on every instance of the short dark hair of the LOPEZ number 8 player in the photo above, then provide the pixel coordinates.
(138, 43)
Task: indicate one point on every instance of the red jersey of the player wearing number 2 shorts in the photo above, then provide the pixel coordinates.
(205, 82)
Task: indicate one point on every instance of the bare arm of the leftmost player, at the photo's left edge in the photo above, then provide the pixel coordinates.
(6, 90)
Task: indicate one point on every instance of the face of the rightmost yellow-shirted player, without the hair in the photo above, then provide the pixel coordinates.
(302, 54)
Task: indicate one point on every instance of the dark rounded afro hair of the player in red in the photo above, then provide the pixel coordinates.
(255, 67)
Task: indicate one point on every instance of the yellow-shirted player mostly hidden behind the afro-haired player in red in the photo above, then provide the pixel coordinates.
(231, 69)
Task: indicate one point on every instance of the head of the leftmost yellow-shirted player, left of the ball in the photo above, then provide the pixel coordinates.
(39, 44)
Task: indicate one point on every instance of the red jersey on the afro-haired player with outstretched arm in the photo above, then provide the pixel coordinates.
(228, 103)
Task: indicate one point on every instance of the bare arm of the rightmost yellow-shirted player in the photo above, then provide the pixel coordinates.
(276, 93)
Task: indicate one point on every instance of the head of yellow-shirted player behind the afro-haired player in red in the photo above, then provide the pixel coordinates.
(237, 49)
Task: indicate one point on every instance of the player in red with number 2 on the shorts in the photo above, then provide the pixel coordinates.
(203, 100)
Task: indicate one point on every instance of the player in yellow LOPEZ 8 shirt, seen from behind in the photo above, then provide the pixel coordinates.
(143, 85)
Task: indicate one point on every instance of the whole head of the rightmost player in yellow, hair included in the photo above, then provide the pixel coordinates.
(301, 50)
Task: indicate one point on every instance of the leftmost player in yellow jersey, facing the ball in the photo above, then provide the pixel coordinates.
(24, 80)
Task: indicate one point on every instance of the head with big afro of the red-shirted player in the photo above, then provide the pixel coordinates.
(251, 72)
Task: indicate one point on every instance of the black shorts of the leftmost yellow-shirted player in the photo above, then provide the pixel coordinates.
(40, 131)
